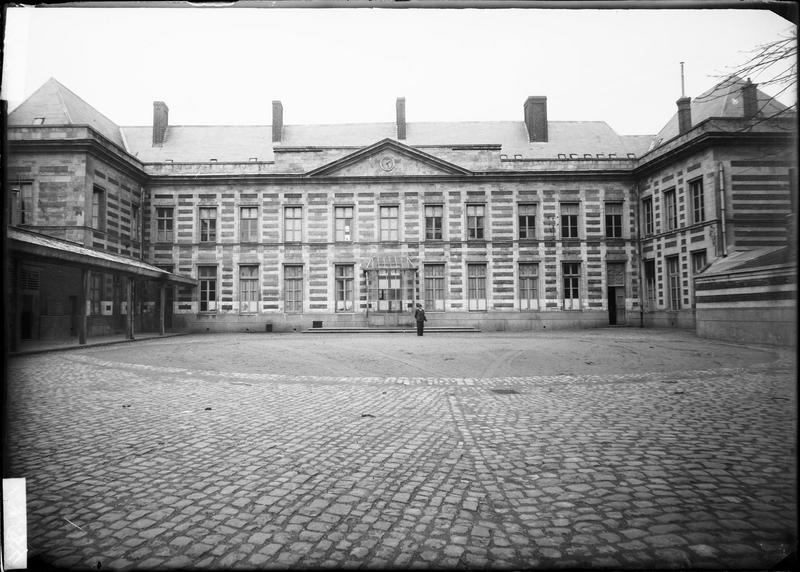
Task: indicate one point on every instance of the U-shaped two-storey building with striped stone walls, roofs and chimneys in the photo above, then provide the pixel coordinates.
(518, 226)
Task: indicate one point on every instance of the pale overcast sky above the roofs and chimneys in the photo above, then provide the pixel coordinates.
(225, 66)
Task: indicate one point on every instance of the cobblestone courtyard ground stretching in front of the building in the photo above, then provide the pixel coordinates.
(612, 448)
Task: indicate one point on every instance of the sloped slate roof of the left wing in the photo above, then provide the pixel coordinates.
(59, 106)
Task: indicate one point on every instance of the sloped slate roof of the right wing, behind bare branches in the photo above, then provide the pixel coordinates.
(722, 100)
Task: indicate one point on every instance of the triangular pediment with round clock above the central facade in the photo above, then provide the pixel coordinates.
(388, 158)
